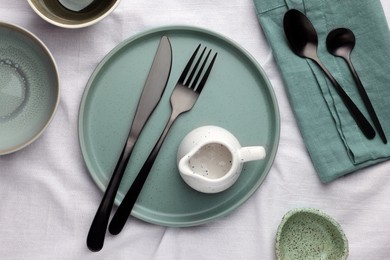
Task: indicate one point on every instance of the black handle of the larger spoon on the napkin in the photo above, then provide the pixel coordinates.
(359, 118)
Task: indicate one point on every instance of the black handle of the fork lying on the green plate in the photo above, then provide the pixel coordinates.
(123, 212)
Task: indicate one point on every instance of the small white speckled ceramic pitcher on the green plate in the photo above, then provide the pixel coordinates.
(210, 158)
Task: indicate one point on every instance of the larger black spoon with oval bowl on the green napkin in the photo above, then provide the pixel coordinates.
(303, 41)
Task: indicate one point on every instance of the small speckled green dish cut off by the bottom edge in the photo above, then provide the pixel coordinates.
(307, 233)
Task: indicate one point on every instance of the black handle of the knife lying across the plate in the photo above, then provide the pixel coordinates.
(97, 231)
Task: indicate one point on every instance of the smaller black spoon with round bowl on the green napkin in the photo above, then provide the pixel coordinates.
(340, 42)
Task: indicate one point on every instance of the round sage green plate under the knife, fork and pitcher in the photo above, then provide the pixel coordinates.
(237, 97)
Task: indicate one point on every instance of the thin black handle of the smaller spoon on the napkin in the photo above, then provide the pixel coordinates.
(367, 101)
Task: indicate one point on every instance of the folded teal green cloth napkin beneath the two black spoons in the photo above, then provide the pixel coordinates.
(335, 144)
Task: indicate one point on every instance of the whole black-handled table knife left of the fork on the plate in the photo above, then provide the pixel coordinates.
(151, 95)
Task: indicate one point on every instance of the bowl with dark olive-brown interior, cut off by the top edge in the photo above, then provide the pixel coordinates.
(55, 13)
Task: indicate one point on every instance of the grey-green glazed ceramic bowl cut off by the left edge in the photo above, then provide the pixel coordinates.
(29, 88)
